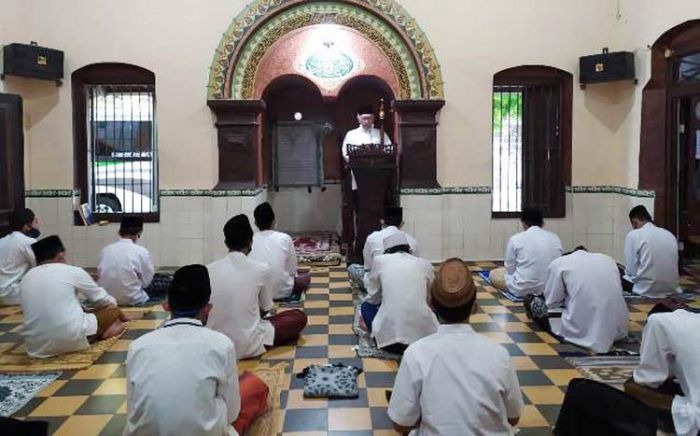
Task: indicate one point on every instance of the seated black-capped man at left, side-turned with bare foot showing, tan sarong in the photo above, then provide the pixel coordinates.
(54, 321)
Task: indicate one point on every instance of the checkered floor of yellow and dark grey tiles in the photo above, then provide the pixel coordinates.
(92, 401)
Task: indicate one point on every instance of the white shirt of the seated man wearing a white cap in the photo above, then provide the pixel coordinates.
(400, 283)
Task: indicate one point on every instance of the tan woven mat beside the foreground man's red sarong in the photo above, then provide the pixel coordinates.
(270, 423)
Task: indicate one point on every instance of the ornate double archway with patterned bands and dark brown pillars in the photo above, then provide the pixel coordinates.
(271, 38)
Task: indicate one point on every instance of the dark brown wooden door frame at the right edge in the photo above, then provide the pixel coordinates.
(658, 150)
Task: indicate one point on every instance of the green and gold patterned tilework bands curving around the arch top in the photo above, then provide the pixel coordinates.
(389, 10)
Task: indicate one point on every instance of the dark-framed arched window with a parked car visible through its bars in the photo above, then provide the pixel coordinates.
(115, 138)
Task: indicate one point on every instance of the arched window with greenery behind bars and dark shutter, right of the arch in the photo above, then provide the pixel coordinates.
(531, 140)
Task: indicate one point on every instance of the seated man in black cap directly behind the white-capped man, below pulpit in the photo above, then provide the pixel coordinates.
(374, 245)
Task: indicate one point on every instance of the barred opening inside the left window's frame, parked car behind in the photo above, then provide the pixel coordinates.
(122, 171)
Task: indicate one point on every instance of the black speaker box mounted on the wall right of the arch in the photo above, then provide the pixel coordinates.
(607, 67)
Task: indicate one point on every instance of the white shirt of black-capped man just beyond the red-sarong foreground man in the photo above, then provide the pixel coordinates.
(240, 289)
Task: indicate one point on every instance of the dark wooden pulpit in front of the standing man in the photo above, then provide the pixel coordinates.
(374, 167)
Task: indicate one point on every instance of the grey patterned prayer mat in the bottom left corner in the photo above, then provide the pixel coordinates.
(16, 390)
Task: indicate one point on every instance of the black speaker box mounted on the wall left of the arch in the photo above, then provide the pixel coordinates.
(29, 60)
